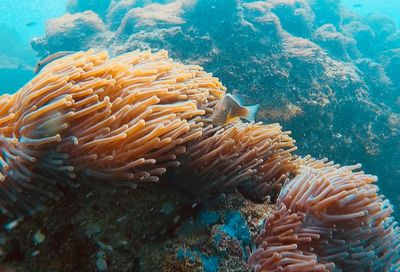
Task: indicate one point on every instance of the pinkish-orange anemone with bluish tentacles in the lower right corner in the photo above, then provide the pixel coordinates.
(329, 217)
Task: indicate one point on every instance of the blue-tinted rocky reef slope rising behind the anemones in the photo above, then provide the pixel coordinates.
(311, 54)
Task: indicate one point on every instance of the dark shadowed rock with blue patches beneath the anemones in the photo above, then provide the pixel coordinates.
(125, 231)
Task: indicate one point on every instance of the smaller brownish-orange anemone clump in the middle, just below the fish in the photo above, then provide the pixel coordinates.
(256, 157)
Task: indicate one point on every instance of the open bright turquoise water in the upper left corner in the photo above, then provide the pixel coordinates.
(21, 21)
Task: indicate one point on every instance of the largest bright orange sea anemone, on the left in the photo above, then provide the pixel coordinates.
(88, 116)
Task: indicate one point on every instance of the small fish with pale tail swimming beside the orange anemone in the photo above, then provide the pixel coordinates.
(230, 108)
